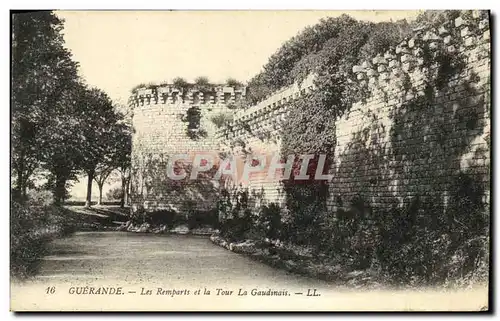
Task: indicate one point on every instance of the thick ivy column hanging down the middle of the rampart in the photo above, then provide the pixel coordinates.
(310, 126)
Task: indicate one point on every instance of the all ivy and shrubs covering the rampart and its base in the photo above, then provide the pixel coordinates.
(439, 231)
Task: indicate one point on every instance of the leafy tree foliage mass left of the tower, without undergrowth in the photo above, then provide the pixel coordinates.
(60, 126)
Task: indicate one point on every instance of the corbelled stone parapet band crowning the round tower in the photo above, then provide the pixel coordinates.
(190, 94)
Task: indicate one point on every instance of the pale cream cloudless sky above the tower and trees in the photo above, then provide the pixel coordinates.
(117, 50)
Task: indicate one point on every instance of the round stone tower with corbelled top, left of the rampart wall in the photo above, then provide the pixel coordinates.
(170, 120)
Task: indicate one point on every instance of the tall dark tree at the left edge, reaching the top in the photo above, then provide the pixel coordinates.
(42, 71)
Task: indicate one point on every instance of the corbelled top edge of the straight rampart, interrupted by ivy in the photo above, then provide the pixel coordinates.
(462, 34)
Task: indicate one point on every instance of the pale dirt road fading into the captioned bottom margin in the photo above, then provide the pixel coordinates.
(136, 261)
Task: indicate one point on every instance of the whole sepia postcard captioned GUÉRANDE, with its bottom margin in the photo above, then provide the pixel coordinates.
(250, 160)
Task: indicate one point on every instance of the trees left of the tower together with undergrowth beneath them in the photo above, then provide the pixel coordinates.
(60, 128)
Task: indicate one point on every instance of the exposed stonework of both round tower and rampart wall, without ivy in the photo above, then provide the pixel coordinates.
(423, 120)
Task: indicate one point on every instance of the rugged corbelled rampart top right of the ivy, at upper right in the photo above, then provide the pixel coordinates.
(417, 56)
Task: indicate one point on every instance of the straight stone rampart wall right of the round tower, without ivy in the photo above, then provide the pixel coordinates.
(450, 62)
